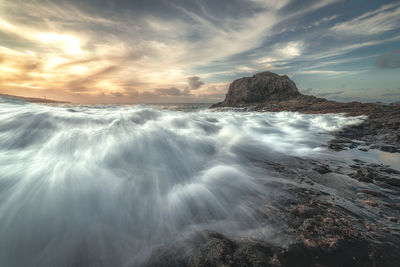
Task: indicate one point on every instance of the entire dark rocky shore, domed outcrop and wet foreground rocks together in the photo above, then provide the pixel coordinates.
(335, 213)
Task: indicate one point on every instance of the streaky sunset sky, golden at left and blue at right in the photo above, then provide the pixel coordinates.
(151, 51)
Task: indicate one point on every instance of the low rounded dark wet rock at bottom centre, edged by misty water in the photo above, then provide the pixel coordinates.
(209, 248)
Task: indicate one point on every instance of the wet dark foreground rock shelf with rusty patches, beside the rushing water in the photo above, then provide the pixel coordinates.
(334, 215)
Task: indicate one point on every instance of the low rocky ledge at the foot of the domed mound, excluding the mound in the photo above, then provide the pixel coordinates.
(381, 129)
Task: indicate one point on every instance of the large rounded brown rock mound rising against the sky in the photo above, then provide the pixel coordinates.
(262, 87)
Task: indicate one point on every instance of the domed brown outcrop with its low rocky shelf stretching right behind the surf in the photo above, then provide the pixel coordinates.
(270, 92)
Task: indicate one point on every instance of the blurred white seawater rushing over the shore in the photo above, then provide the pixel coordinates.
(102, 185)
